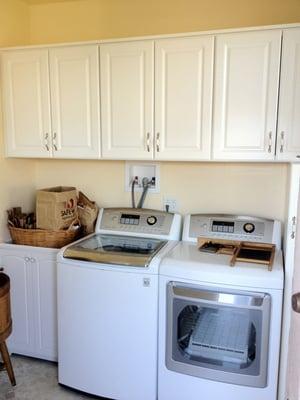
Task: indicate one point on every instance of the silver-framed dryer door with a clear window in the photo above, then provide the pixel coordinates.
(219, 335)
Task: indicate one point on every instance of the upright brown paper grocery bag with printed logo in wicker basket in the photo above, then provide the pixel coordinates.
(56, 208)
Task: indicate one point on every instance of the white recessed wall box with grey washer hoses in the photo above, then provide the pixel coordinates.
(138, 171)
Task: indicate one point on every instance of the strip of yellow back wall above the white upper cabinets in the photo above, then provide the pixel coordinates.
(95, 19)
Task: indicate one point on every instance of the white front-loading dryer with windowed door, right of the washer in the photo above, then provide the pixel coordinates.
(219, 326)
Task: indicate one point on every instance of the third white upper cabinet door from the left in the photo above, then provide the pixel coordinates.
(127, 100)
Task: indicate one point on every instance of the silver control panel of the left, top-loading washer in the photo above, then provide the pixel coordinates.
(136, 221)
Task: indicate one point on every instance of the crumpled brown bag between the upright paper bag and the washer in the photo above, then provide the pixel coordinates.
(87, 213)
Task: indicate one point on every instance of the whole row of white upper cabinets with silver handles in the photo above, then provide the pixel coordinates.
(230, 96)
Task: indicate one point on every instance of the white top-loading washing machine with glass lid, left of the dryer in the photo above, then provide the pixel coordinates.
(108, 304)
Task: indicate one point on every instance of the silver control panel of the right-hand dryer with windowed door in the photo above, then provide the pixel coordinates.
(231, 227)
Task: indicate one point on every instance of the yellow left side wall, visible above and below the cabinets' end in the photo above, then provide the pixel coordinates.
(17, 177)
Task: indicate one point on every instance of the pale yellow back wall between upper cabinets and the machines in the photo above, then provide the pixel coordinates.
(255, 189)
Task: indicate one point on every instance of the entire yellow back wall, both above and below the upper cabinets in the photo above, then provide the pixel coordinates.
(257, 189)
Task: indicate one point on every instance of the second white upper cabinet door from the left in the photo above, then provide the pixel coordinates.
(74, 73)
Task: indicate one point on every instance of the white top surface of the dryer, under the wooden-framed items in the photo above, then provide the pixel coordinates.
(185, 261)
